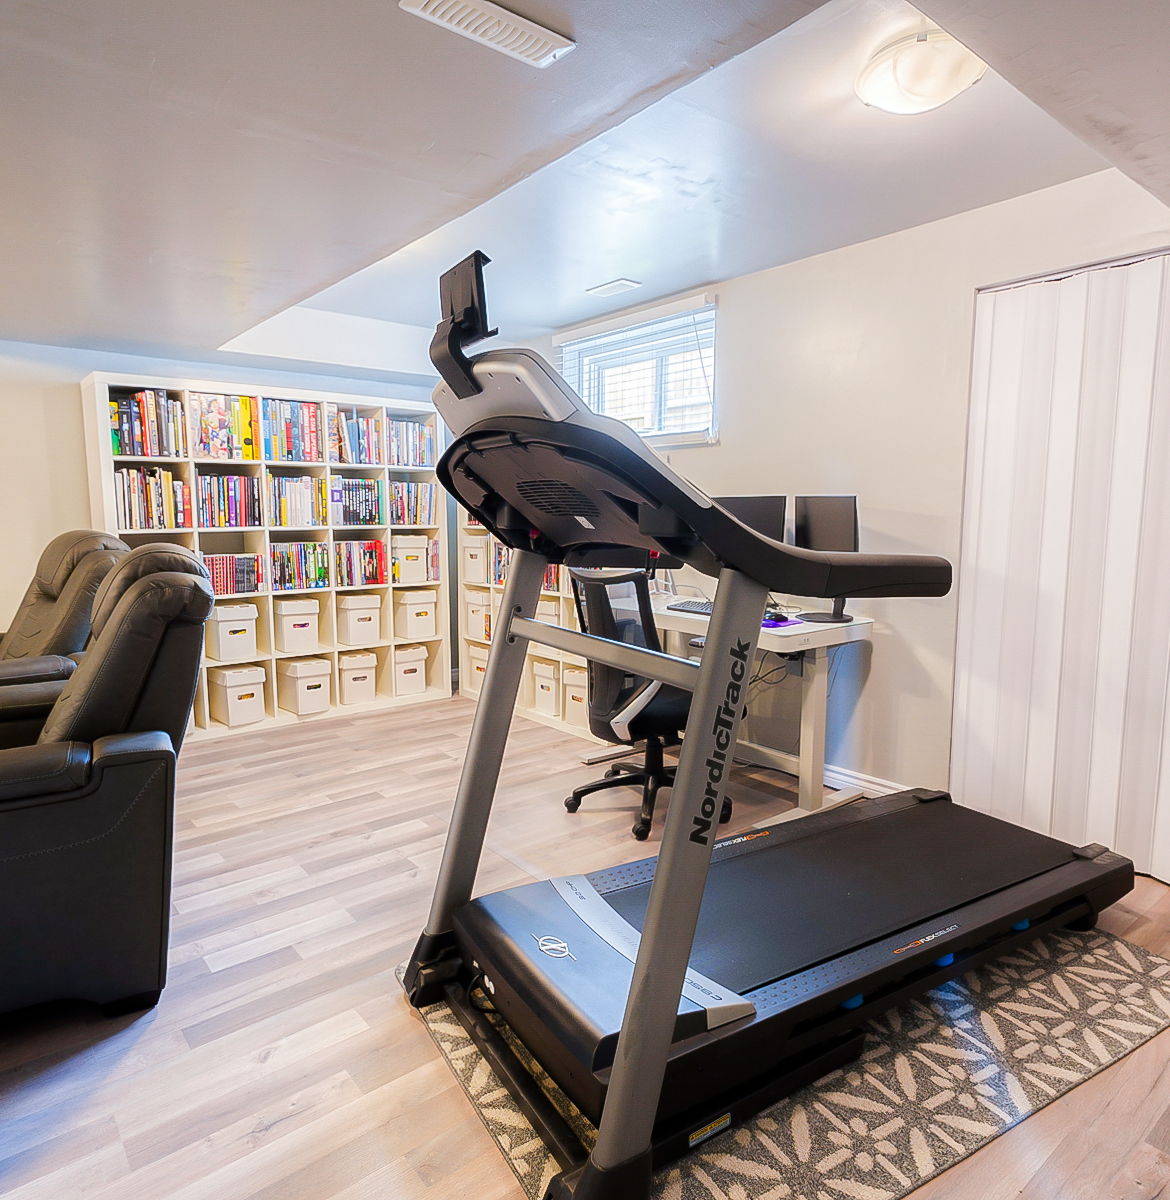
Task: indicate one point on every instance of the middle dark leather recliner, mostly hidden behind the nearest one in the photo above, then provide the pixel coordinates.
(26, 701)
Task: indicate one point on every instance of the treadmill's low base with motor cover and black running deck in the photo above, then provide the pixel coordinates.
(821, 923)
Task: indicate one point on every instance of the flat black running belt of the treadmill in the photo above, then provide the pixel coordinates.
(790, 905)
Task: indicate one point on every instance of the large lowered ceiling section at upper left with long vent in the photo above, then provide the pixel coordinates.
(178, 172)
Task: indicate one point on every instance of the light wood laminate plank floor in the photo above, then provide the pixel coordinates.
(283, 1063)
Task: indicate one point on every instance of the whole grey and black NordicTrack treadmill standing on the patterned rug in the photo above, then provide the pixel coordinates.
(673, 998)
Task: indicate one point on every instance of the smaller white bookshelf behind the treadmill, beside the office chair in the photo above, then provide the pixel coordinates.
(557, 604)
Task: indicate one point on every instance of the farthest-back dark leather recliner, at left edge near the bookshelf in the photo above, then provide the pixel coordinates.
(53, 620)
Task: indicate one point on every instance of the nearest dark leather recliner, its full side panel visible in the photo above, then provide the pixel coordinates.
(87, 812)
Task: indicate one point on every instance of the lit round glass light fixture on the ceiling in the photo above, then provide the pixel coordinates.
(919, 73)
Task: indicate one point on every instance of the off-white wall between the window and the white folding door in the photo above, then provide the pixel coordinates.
(849, 373)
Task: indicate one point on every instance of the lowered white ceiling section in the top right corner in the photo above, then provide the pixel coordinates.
(1102, 70)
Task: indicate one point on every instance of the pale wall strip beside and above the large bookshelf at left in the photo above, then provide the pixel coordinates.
(44, 484)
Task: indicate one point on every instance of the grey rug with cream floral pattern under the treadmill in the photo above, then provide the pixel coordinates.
(940, 1078)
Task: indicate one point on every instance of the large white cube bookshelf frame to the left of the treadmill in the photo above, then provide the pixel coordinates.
(262, 537)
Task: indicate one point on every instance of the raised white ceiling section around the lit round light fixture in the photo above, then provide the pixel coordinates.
(766, 160)
